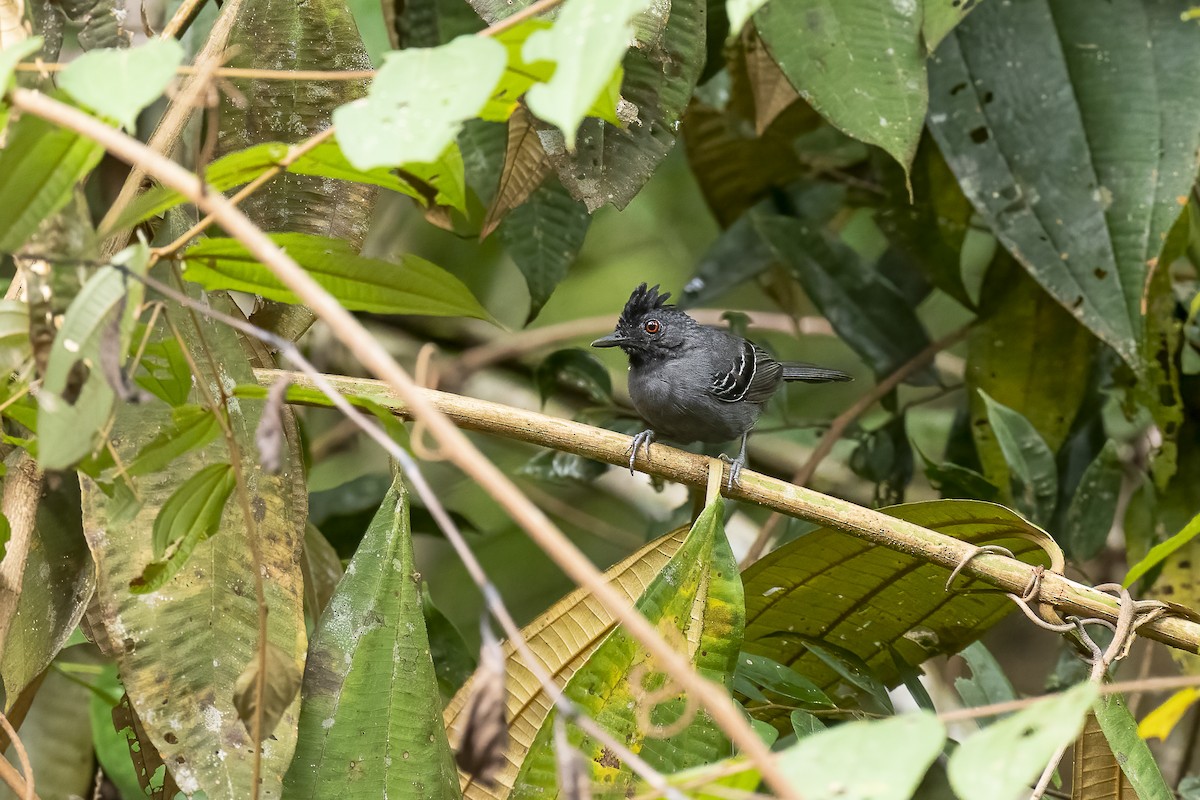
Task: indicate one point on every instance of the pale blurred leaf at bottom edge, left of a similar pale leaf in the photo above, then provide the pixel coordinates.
(866, 761)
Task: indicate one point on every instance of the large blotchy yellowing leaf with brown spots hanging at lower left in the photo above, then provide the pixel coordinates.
(182, 648)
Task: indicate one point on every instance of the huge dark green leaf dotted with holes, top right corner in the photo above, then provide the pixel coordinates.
(1072, 128)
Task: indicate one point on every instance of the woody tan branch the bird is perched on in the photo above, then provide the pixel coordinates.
(773, 494)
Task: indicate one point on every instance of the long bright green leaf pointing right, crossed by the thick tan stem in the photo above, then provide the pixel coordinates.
(413, 287)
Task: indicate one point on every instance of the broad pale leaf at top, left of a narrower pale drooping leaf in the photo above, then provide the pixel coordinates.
(418, 103)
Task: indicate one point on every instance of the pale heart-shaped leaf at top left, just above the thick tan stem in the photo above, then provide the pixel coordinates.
(122, 82)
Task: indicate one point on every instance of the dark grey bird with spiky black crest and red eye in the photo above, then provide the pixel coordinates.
(695, 383)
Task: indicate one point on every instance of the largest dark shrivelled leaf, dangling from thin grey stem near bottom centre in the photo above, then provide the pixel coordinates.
(487, 735)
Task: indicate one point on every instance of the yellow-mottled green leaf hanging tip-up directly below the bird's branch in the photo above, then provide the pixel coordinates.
(699, 597)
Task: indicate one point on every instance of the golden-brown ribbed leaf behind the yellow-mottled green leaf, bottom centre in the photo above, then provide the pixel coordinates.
(563, 639)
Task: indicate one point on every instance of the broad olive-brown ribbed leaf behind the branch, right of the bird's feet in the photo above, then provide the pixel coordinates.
(827, 588)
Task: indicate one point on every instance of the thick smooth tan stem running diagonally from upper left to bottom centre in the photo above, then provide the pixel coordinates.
(349, 330)
